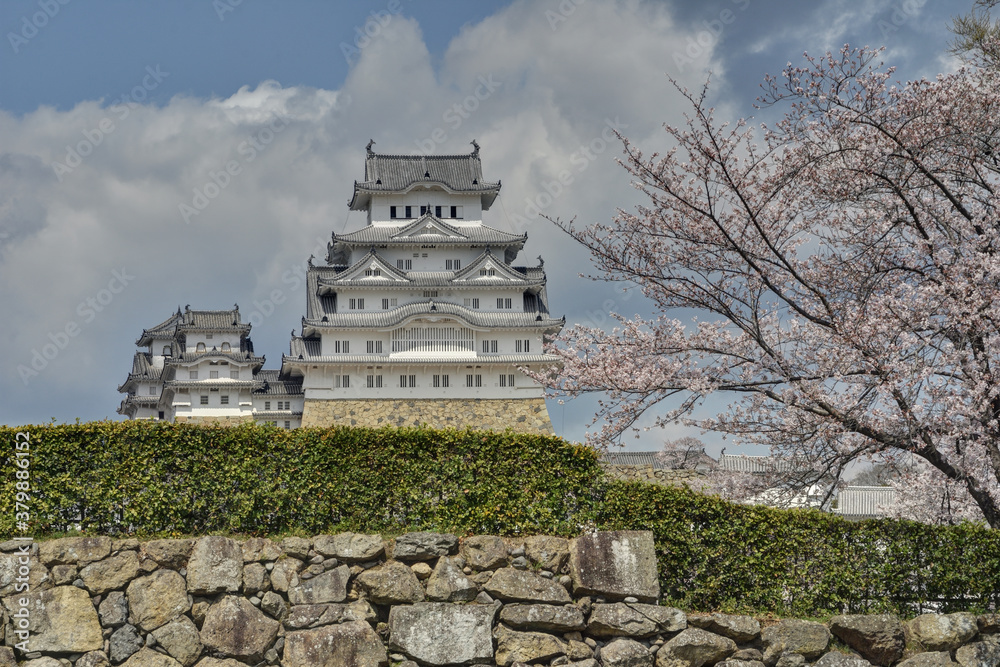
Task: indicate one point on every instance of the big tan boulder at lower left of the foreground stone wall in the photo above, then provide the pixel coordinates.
(61, 620)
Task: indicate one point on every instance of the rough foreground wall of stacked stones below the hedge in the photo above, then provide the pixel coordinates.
(354, 600)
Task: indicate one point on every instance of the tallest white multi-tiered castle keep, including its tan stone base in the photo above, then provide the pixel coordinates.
(420, 316)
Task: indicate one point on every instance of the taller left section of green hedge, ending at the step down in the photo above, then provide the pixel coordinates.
(154, 478)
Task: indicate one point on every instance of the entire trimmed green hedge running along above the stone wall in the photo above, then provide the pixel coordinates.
(154, 478)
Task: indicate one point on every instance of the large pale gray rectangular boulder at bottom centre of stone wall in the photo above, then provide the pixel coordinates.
(436, 633)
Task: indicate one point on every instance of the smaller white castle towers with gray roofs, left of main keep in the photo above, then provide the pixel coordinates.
(199, 366)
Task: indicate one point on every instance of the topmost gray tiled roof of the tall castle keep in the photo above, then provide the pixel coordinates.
(385, 174)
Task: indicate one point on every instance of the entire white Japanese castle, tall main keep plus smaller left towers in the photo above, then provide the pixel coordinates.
(419, 317)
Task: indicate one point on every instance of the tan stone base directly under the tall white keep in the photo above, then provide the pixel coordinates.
(527, 415)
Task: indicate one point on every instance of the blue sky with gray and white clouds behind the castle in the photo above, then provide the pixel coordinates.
(165, 93)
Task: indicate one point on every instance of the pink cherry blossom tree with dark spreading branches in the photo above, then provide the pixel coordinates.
(836, 276)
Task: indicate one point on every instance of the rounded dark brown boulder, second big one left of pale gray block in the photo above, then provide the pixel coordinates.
(235, 627)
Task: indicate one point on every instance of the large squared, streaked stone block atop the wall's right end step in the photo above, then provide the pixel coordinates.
(615, 565)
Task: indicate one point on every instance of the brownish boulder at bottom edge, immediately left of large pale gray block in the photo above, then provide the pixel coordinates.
(352, 644)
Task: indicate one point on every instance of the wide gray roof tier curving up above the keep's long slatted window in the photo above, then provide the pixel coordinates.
(477, 318)
